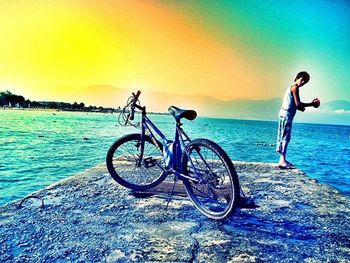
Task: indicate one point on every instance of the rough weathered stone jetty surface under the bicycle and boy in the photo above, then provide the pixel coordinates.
(90, 218)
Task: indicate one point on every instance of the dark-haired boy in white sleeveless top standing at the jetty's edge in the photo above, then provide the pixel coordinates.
(291, 103)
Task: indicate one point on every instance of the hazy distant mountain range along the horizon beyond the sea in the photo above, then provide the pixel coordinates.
(209, 106)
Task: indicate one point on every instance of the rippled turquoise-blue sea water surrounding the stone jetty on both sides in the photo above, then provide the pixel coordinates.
(38, 148)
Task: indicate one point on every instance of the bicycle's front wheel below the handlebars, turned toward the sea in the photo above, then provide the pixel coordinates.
(134, 168)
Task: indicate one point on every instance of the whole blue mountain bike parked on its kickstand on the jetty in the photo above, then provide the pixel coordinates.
(139, 161)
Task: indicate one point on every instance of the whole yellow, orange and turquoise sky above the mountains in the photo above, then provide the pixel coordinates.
(227, 50)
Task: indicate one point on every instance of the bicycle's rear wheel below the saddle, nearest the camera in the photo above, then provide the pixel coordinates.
(214, 186)
